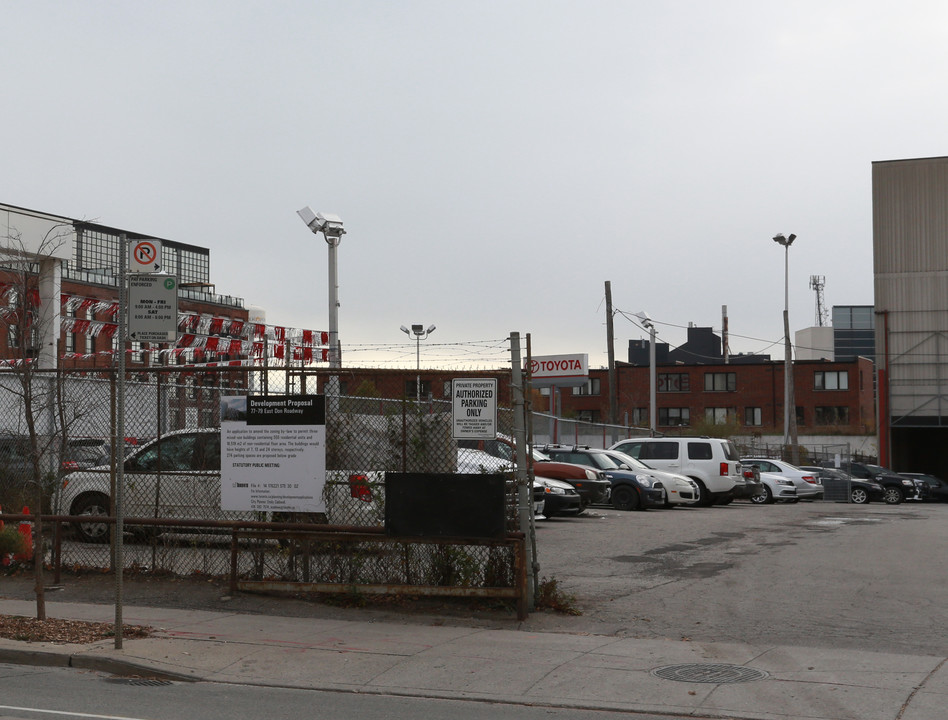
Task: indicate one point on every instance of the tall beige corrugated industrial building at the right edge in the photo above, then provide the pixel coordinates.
(910, 252)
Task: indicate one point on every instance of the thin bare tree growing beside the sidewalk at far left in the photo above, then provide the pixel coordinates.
(43, 420)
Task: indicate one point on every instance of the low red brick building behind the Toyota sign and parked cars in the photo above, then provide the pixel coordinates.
(831, 397)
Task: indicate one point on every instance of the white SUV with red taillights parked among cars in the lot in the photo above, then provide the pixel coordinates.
(713, 463)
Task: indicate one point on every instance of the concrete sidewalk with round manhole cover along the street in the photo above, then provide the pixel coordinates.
(513, 666)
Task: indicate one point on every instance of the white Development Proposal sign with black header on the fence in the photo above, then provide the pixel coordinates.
(273, 453)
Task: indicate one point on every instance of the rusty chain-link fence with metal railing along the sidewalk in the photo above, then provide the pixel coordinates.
(58, 443)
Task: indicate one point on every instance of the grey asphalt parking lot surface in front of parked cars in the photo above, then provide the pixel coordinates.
(817, 573)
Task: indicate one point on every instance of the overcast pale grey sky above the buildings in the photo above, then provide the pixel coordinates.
(494, 162)
